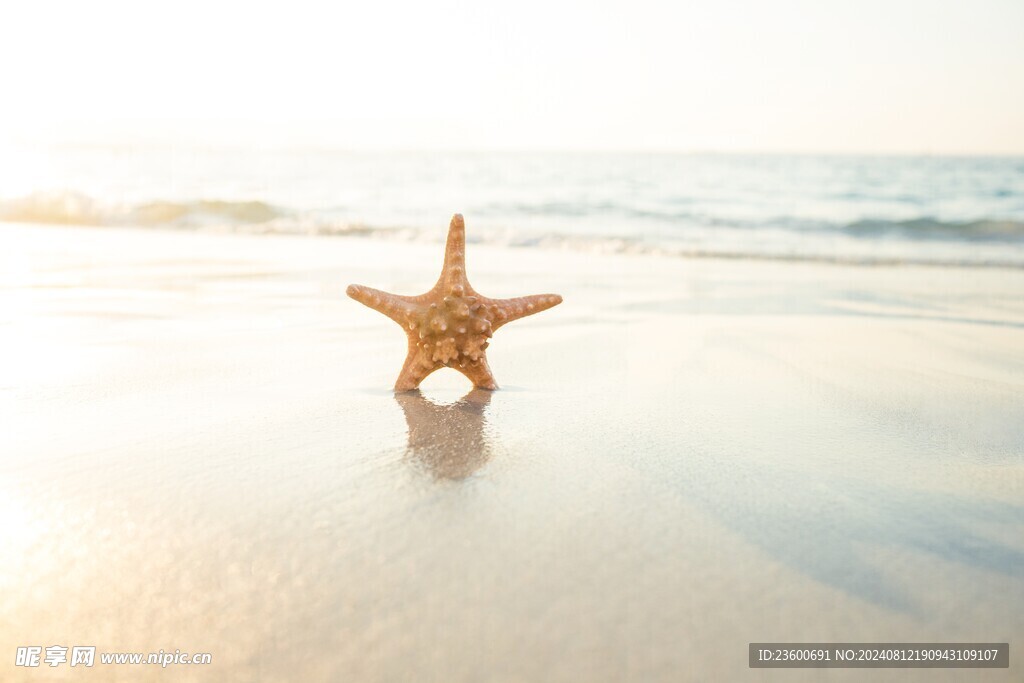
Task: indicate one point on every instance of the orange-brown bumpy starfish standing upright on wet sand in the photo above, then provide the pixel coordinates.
(449, 326)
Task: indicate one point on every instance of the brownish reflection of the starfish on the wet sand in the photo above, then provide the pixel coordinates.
(450, 441)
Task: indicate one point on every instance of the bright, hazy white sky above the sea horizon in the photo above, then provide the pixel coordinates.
(862, 77)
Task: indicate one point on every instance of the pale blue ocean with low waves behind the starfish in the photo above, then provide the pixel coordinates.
(875, 210)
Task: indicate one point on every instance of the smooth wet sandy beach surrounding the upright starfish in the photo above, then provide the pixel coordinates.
(201, 452)
